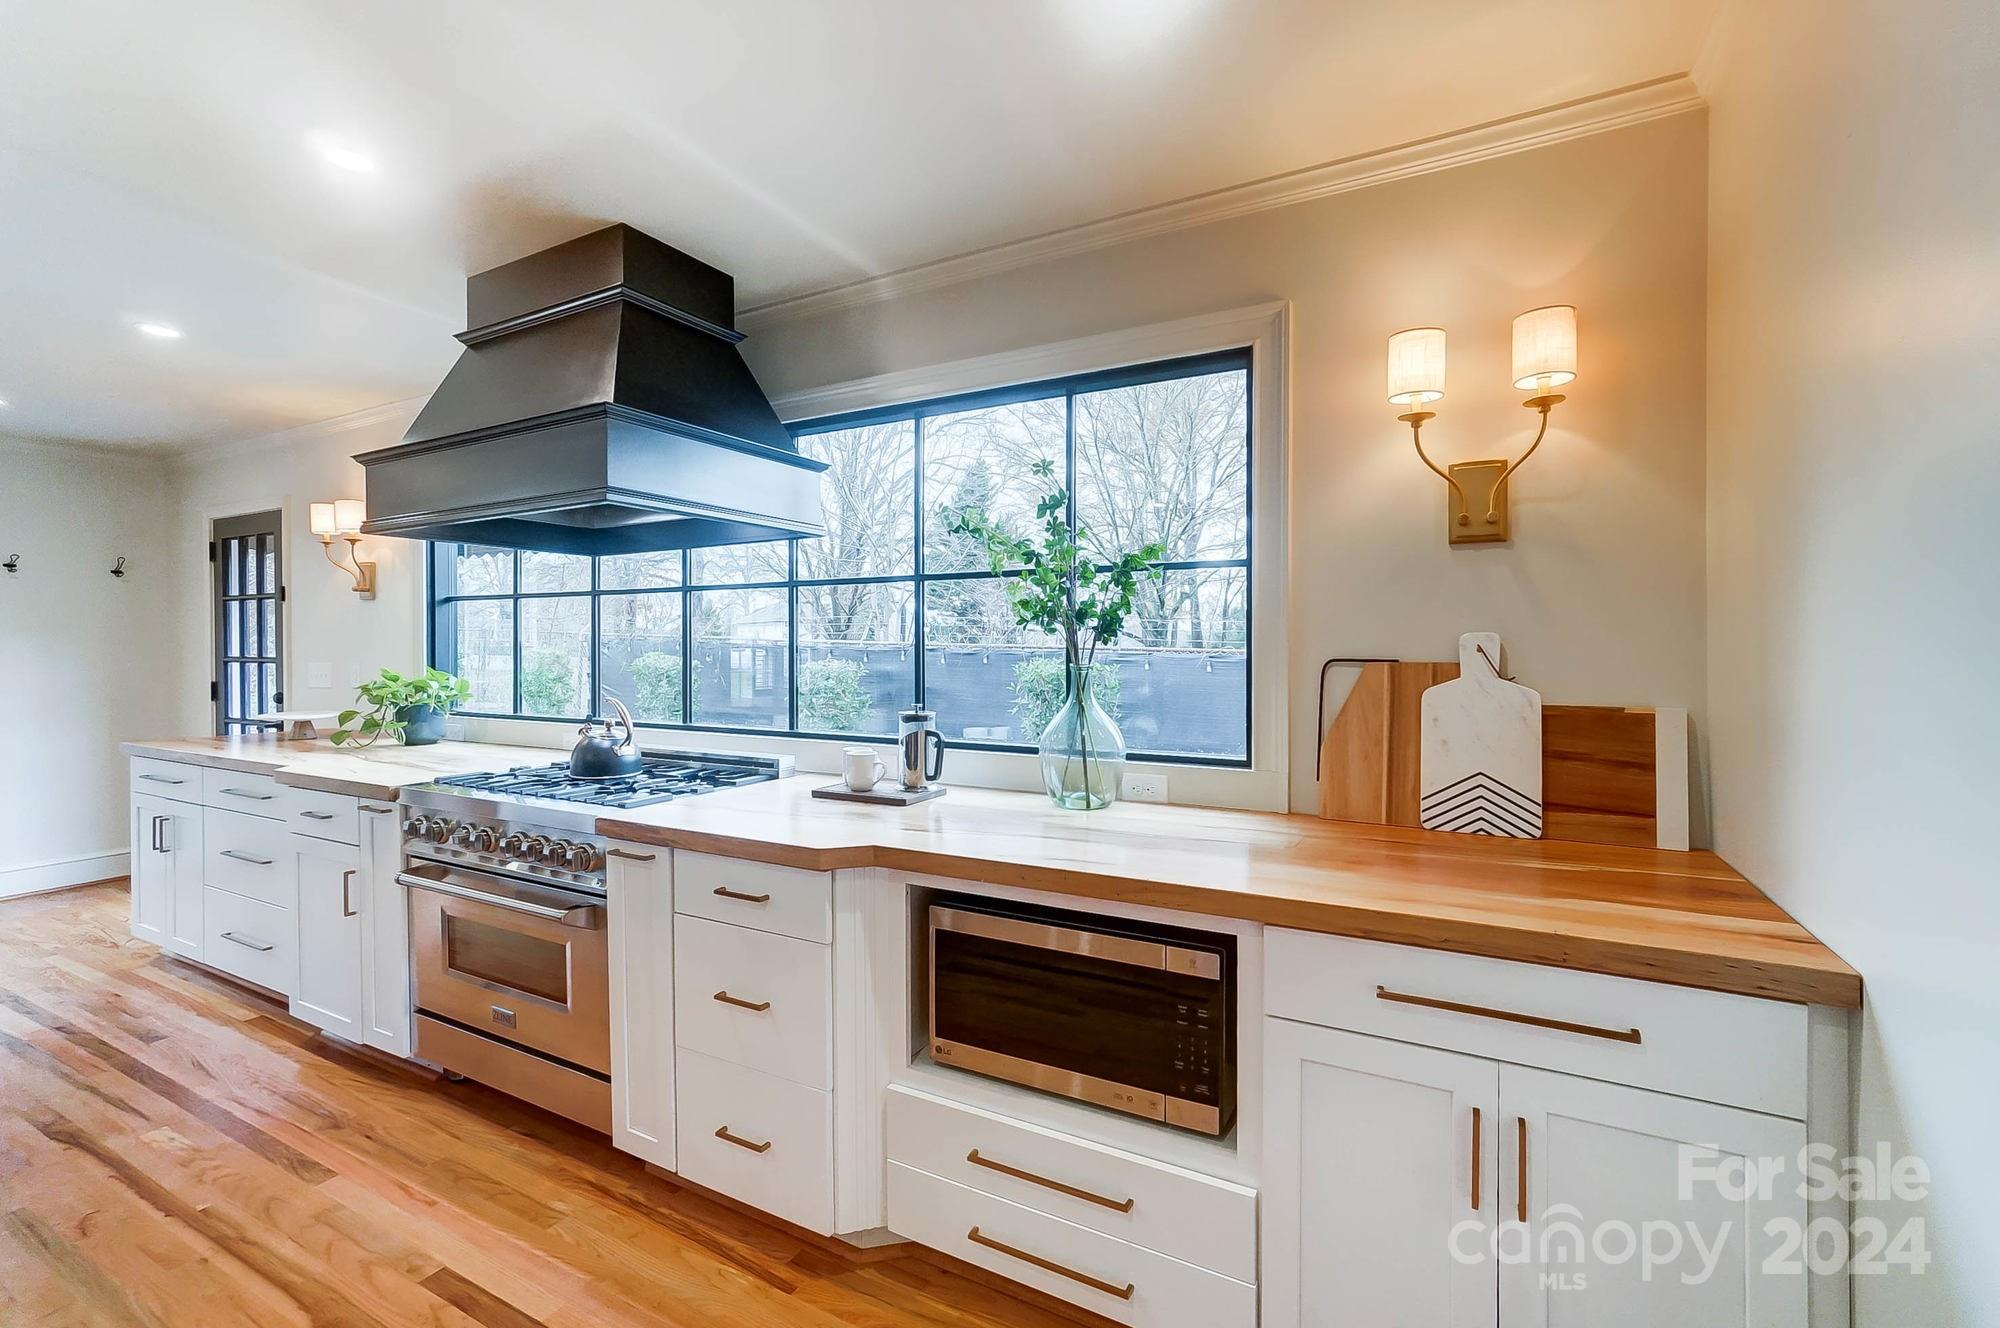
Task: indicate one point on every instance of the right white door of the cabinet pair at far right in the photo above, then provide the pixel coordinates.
(1617, 1173)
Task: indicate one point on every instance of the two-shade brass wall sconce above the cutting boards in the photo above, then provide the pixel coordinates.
(1545, 359)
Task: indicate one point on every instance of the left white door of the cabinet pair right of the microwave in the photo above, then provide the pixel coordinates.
(1379, 1163)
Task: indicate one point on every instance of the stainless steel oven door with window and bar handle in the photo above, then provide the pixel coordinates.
(513, 961)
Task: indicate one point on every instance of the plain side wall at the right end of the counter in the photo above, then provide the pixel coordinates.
(1855, 391)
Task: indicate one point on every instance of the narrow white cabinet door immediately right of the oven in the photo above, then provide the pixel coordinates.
(641, 937)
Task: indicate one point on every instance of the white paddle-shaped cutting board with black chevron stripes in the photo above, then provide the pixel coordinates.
(1481, 753)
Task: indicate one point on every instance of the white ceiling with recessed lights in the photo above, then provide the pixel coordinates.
(155, 161)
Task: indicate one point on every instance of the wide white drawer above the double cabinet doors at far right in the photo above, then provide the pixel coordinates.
(1717, 1047)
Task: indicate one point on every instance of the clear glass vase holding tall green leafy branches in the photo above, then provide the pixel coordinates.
(1083, 597)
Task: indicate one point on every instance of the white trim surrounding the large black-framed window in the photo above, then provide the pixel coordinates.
(1265, 329)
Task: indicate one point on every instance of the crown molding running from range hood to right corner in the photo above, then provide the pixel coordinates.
(1537, 129)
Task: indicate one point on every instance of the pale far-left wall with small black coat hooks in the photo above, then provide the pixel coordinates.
(77, 655)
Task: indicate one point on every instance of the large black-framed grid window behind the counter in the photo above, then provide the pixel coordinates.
(833, 637)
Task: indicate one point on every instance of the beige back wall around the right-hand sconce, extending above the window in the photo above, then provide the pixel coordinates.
(1601, 593)
